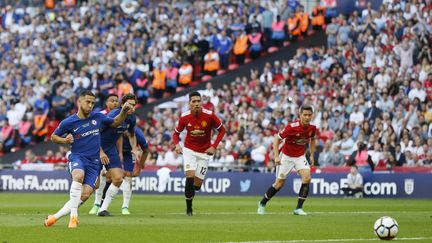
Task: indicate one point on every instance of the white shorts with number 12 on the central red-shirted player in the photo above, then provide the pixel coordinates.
(195, 161)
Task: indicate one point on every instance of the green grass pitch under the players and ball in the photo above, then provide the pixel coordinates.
(216, 219)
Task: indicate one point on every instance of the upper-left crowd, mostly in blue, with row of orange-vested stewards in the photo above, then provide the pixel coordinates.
(48, 54)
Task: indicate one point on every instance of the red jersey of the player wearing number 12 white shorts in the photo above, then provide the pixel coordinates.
(199, 129)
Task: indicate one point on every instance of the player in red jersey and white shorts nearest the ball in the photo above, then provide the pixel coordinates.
(297, 135)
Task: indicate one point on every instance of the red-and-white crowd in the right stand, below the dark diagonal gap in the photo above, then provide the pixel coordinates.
(371, 88)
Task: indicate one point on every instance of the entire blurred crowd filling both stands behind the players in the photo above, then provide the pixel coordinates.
(371, 84)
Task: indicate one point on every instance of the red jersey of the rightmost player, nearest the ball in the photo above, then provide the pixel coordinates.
(296, 138)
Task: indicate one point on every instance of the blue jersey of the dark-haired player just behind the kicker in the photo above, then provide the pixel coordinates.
(110, 135)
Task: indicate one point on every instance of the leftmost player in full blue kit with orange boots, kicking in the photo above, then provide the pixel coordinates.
(82, 132)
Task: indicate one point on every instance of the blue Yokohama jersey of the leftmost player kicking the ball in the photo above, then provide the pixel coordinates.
(86, 133)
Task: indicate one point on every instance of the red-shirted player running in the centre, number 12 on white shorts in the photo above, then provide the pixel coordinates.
(199, 124)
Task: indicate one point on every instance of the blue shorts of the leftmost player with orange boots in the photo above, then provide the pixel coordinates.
(91, 168)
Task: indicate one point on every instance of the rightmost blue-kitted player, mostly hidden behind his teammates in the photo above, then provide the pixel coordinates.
(130, 166)
